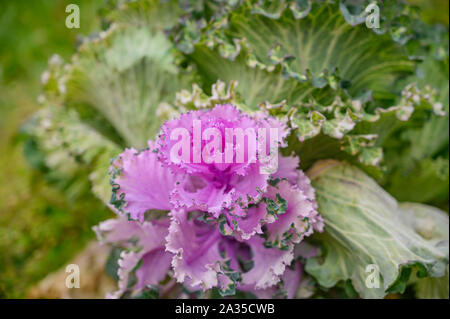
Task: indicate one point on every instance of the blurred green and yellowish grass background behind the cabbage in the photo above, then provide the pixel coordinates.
(43, 225)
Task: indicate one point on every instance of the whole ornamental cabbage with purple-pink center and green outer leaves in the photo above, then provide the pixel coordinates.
(259, 148)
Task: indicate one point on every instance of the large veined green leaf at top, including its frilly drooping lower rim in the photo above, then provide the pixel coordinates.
(315, 62)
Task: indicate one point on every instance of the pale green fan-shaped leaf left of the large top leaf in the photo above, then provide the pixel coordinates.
(126, 77)
